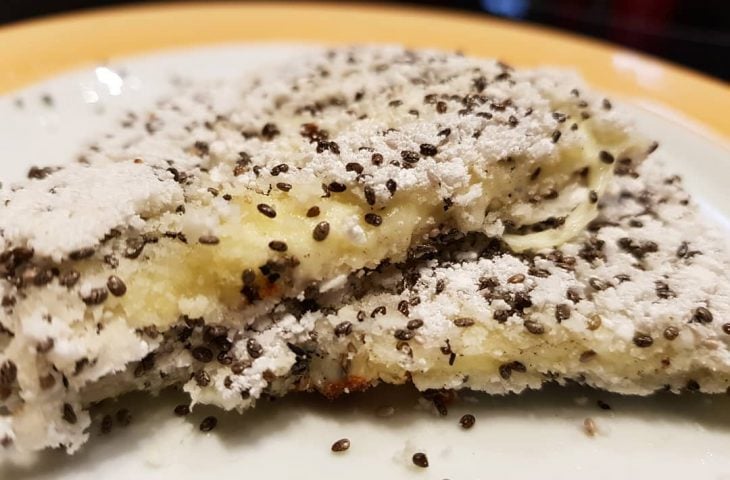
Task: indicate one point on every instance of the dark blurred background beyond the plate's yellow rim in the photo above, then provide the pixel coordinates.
(695, 33)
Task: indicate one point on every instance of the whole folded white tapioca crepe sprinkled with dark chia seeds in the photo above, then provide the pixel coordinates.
(365, 215)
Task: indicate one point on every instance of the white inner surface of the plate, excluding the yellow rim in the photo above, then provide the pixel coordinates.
(536, 435)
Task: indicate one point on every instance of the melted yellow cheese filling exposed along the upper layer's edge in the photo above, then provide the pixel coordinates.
(195, 271)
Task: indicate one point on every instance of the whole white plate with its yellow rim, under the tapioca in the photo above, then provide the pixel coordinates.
(526, 436)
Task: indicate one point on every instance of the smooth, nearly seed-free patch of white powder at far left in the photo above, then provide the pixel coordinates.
(77, 206)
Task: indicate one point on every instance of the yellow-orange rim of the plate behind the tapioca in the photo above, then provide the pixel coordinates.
(34, 50)
